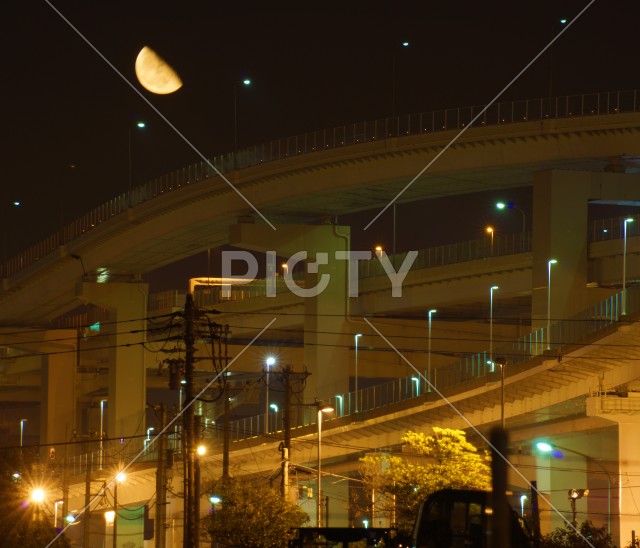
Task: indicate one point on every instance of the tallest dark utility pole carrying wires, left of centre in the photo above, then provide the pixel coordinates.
(189, 538)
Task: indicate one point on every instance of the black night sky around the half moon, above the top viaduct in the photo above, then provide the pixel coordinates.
(63, 106)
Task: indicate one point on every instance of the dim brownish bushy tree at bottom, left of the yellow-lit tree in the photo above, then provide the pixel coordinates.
(252, 516)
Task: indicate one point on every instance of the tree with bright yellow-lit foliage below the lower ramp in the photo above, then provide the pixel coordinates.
(442, 460)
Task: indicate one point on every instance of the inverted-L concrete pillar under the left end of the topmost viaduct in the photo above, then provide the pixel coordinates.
(127, 375)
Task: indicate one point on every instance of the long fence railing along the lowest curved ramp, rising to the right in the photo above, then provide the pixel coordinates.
(565, 336)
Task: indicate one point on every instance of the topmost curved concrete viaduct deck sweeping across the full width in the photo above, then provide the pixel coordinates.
(196, 217)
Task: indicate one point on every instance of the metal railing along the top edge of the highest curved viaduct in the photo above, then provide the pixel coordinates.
(402, 126)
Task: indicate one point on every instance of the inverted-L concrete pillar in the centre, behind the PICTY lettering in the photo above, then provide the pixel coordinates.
(326, 342)
